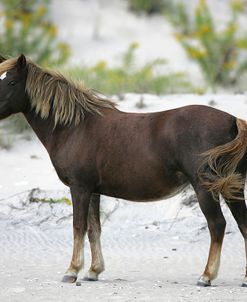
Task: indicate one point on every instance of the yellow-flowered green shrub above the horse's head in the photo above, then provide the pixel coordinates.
(27, 29)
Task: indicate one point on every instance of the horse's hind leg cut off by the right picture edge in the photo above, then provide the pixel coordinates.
(239, 212)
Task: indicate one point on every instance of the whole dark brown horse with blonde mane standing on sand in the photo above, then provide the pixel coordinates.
(97, 149)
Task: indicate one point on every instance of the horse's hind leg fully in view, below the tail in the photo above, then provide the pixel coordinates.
(216, 224)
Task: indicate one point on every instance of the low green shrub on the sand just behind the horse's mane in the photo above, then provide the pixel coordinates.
(128, 78)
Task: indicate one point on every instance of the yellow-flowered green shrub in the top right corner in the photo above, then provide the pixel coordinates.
(221, 54)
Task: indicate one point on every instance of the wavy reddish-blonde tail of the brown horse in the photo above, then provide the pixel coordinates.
(218, 170)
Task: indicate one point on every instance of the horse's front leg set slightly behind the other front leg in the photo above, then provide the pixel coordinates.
(94, 231)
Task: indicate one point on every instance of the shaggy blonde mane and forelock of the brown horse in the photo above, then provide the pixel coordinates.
(51, 92)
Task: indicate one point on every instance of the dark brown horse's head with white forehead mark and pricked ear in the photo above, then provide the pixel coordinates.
(13, 74)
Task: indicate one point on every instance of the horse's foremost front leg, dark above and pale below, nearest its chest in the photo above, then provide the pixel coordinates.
(80, 200)
